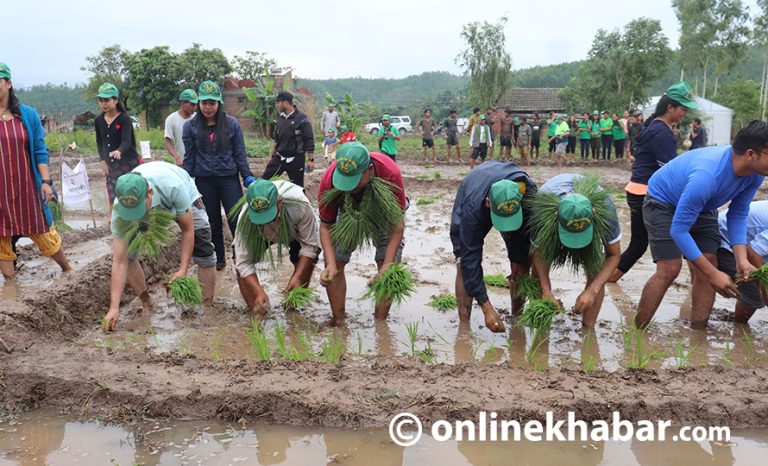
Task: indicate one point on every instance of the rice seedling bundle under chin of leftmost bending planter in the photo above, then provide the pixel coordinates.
(146, 238)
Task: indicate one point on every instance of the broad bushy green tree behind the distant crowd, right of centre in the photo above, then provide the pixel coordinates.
(619, 68)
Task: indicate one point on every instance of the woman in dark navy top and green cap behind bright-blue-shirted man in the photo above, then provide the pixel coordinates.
(656, 146)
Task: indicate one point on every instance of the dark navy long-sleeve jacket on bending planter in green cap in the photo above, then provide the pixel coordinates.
(471, 222)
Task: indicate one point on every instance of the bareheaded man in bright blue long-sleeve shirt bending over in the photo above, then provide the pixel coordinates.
(680, 213)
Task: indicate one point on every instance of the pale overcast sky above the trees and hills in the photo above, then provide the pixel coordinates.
(47, 41)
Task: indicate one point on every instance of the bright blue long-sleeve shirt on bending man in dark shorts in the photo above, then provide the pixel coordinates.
(703, 180)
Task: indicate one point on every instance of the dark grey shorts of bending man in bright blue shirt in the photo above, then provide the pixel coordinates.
(658, 220)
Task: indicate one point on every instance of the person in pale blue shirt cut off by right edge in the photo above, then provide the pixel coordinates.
(751, 298)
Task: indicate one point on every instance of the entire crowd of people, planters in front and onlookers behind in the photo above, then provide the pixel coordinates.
(362, 199)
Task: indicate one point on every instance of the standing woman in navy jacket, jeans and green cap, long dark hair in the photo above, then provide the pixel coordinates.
(214, 155)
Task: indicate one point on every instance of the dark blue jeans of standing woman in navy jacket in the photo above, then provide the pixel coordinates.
(219, 191)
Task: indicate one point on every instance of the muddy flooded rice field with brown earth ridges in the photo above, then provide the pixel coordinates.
(186, 386)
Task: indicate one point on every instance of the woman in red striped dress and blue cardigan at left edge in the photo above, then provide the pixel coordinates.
(25, 184)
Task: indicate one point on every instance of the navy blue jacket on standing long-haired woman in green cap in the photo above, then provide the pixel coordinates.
(209, 160)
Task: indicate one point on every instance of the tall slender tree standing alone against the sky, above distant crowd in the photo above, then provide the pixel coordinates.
(486, 60)
